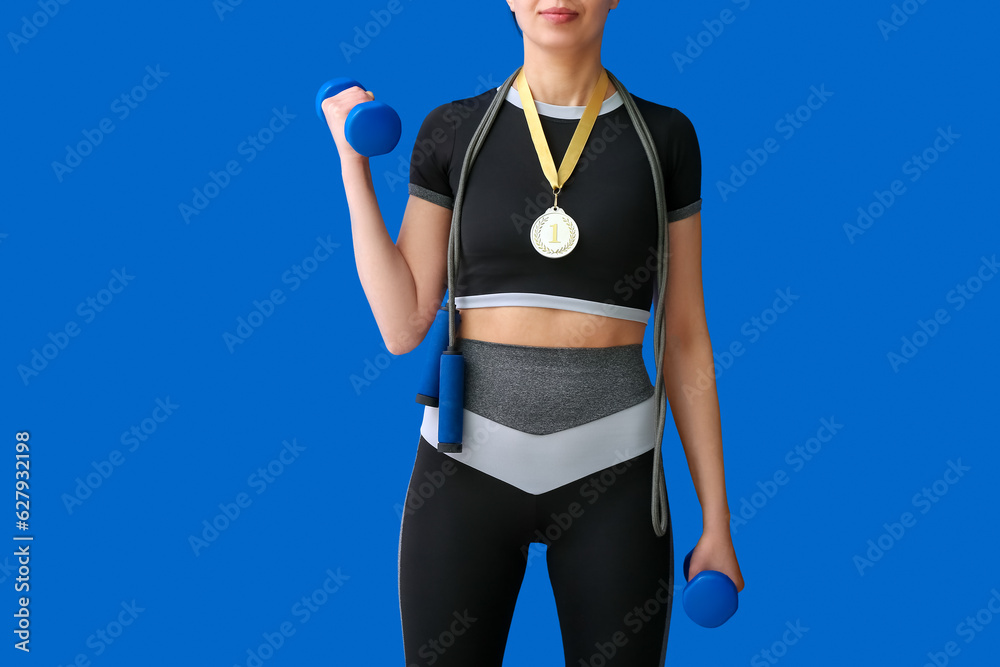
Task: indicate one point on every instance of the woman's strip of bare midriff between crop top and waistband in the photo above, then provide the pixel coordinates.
(547, 327)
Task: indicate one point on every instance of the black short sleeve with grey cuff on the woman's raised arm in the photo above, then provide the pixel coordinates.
(430, 162)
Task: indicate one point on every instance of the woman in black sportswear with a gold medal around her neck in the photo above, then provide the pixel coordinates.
(558, 405)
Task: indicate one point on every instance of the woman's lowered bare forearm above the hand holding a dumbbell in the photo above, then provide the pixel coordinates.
(694, 402)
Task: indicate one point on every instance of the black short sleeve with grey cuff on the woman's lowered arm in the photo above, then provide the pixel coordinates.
(683, 168)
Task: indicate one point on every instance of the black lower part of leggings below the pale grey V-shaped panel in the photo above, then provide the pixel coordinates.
(464, 546)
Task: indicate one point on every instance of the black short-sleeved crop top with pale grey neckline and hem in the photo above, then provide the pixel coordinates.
(612, 269)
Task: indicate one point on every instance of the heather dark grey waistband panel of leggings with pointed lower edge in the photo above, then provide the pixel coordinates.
(542, 390)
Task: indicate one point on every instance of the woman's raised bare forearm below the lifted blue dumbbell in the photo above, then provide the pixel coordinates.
(385, 276)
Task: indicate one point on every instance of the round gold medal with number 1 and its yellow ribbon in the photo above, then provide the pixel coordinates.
(554, 233)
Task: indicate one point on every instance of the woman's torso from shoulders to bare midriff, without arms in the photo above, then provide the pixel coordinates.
(611, 196)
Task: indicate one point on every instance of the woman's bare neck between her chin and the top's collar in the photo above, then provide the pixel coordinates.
(563, 79)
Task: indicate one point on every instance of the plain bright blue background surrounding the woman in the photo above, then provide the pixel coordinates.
(334, 506)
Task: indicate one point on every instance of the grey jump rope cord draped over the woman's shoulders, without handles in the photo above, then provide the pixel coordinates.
(660, 507)
